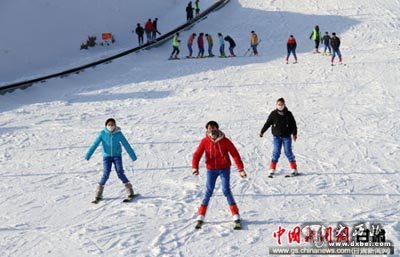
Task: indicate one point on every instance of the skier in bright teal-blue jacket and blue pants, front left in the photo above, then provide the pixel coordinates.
(111, 139)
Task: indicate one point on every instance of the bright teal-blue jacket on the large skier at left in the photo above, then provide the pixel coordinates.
(111, 142)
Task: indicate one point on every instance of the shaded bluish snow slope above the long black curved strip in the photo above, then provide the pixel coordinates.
(44, 37)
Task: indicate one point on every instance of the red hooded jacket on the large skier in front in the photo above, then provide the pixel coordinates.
(217, 153)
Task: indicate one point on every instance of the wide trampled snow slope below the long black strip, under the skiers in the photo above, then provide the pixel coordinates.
(348, 146)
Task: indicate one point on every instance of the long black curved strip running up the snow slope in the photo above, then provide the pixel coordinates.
(161, 40)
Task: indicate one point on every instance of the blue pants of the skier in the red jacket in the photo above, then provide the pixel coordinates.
(212, 176)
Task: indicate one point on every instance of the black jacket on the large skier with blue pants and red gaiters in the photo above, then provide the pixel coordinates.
(282, 125)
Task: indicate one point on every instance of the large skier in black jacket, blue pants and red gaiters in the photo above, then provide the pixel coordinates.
(283, 127)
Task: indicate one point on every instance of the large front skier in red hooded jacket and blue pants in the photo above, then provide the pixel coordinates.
(217, 148)
